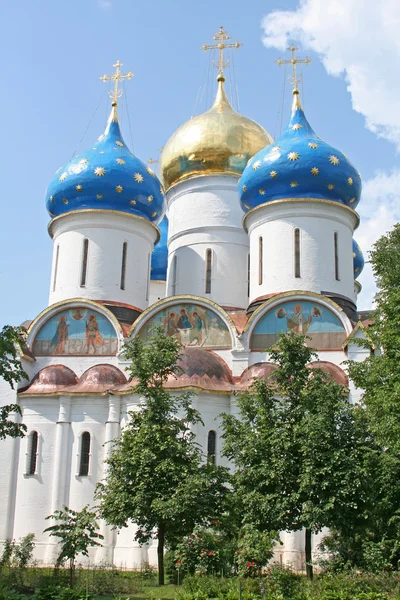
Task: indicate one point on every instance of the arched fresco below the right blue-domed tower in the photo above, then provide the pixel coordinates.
(300, 316)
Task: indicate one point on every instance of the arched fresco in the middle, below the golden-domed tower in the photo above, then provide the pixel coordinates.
(192, 325)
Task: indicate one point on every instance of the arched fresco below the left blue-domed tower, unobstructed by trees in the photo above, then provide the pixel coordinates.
(76, 331)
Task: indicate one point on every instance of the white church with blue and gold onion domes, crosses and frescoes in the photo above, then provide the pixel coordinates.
(240, 238)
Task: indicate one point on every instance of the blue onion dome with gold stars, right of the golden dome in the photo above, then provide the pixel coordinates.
(297, 165)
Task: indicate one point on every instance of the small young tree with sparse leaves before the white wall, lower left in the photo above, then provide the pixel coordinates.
(77, 531)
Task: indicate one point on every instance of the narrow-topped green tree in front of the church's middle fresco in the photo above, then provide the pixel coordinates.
(157, 476)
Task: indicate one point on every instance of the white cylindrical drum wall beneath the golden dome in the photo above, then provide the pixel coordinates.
(204, 213)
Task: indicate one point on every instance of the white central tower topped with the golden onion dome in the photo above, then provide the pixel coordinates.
(208, 250)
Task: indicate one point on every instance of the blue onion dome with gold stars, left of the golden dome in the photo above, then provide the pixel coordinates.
(107, 176)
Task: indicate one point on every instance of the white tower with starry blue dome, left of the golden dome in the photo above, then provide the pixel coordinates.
(104, 205)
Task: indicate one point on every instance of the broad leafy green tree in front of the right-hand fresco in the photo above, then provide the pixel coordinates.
(297, 448)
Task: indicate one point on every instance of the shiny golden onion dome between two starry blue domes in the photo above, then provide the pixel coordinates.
(217, 141)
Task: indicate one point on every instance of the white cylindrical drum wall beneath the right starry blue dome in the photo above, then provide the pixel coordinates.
(317, 221)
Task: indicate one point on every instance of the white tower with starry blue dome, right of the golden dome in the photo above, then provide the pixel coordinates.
(299, 197)
